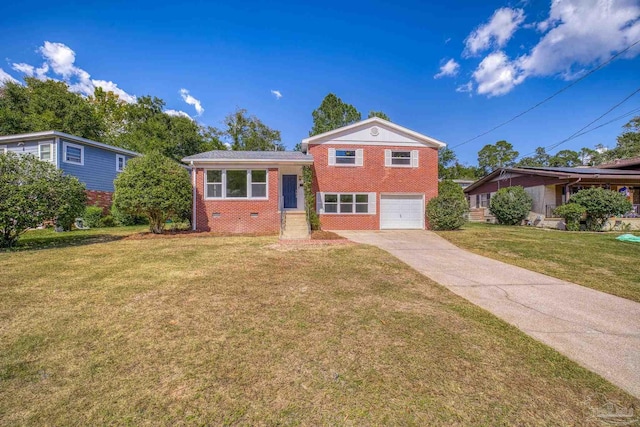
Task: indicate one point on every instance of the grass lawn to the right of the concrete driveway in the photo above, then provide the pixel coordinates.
(595, 260)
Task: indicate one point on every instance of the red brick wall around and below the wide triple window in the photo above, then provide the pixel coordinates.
(235, 215)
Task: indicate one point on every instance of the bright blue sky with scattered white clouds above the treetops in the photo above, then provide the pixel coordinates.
(450, 70)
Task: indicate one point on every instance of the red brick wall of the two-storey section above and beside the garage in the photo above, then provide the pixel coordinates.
(373, 176)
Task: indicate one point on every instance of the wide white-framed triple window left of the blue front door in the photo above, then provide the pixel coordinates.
(236, 184)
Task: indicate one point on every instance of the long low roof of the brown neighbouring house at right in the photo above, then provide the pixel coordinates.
(560, 173)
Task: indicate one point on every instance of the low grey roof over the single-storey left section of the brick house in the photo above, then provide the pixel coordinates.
(228, 156)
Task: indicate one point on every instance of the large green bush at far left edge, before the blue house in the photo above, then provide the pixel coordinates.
(32, 192)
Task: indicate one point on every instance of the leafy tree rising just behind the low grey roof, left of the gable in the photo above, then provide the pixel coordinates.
(248, 133)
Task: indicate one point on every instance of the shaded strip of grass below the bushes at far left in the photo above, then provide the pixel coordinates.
(49, 239)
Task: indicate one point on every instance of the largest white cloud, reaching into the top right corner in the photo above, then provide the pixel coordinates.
(577, 35)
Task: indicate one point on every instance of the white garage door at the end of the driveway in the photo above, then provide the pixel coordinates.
(401, 211)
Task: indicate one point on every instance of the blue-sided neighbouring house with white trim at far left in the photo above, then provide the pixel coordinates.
(93, 163)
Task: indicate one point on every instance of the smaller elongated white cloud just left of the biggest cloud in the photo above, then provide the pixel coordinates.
(495, 33)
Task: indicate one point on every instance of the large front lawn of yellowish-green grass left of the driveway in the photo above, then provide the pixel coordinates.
(233, 330)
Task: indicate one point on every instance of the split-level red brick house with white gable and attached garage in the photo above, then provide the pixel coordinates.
(370, 175)
